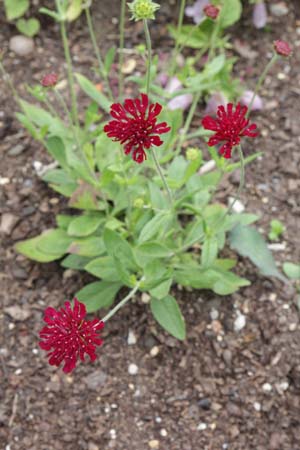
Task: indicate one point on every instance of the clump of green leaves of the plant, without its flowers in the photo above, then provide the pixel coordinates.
(119, 225)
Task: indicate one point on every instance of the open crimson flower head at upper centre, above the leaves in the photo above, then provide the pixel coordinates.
(135, 126)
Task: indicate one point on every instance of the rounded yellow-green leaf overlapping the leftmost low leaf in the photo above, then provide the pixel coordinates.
(54, 242)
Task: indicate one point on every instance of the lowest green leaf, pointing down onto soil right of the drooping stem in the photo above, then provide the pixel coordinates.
(167, 313)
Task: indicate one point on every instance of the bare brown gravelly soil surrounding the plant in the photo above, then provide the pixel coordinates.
(220, 389)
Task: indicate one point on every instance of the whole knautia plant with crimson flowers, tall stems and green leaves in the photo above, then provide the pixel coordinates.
(141, 211)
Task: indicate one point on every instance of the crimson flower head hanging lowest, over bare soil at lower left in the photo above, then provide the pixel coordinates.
(69, 336)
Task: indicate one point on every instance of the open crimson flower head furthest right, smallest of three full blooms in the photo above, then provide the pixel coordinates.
(230, 126)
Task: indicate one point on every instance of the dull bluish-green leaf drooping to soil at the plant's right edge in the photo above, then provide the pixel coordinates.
(247, 241)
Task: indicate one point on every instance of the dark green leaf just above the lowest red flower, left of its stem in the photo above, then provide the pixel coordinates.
(100, 294)
